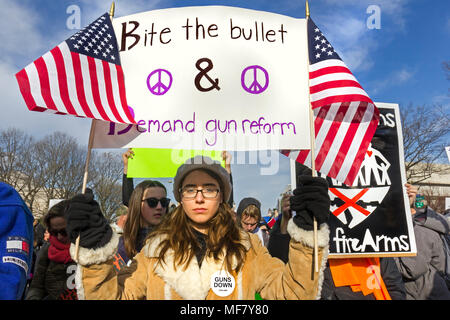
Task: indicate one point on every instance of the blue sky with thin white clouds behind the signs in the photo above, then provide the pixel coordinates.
(399, 62)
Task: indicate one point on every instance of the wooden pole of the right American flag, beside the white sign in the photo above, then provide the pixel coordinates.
(313, 158)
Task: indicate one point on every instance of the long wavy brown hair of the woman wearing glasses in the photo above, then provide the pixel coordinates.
(223, 234)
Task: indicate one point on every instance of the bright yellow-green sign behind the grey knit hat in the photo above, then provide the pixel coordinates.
(162, 163)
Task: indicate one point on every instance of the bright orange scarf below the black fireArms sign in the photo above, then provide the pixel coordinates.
(361, 274)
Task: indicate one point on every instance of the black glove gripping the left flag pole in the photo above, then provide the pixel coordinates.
(85, 218)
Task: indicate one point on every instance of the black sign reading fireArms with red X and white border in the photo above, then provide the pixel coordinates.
(373, 217)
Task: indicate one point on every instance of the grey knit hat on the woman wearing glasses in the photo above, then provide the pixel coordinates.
(207, 164)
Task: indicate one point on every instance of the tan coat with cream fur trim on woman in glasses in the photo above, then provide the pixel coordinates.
(96, 278)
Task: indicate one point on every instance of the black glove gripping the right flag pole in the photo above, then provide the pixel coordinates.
(310, 200)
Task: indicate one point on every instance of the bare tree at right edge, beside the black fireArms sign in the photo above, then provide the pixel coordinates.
(425, 135)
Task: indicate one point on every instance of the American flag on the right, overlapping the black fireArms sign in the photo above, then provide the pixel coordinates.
(345, 118)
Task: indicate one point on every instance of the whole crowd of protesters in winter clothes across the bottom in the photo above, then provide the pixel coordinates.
(171, 248)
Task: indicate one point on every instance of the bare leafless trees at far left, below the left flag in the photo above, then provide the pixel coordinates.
(53, 168)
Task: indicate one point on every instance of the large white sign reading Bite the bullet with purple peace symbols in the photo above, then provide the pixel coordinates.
(213, 77)
